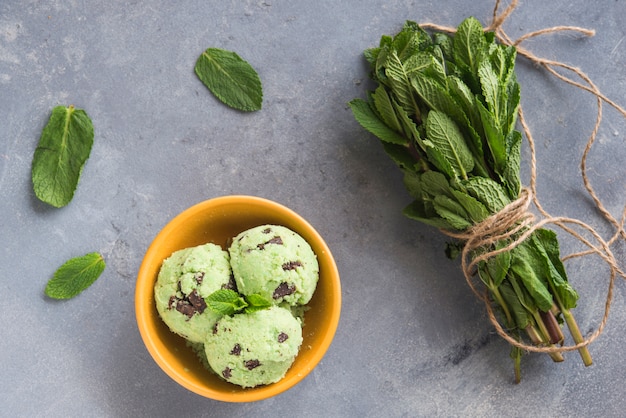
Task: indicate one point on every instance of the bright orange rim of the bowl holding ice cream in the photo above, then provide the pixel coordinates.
(143, 311)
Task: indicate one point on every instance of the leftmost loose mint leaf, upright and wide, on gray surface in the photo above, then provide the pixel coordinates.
(63, 149)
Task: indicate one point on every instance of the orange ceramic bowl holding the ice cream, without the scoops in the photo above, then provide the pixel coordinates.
(217, 220)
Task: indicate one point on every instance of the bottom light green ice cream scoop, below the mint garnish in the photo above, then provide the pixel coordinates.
(251, 349)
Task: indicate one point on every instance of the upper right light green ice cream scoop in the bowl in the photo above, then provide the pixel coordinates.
(276, 263)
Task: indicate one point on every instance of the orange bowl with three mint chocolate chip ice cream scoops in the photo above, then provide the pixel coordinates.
(238, 298)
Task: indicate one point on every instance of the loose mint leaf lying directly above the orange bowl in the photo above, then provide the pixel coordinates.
(231, 79)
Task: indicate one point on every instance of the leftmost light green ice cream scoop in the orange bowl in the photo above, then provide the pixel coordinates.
(185, 279)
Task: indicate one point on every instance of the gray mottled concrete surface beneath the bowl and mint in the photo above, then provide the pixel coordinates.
(412, 340)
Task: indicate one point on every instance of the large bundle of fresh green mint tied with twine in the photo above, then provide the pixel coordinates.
(445, 109)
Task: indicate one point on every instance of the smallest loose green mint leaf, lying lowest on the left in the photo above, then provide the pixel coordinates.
(76, 275)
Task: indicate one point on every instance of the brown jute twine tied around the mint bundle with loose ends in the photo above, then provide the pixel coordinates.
(515, 222)
